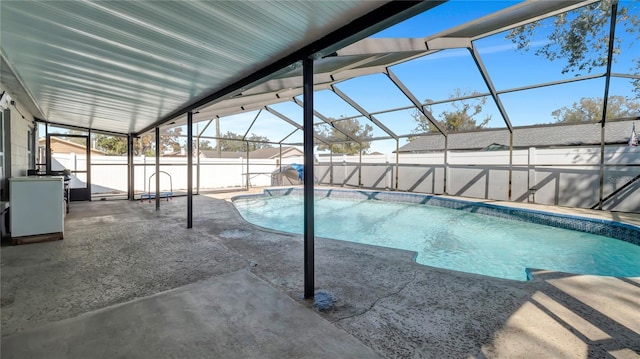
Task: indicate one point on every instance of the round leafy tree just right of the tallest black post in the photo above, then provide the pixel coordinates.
(350, 126)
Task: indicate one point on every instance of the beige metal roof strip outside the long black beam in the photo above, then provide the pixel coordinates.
(375, 55)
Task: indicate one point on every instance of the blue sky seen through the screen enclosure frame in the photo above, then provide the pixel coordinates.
(437, 77)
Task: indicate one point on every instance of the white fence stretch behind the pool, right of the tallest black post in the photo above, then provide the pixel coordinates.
(562, 176)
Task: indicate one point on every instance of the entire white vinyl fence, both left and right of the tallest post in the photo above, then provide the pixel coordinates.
(563, 176)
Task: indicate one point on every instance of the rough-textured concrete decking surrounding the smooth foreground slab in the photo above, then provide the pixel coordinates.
(118, 251)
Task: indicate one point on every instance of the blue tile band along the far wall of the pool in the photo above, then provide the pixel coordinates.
(618, 230)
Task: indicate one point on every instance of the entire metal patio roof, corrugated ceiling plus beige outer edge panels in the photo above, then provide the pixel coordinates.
(128, 66)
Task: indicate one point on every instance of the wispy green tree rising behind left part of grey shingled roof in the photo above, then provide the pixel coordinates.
(463, 117)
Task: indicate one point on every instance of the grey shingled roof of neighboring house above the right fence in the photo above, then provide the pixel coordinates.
(564, 134)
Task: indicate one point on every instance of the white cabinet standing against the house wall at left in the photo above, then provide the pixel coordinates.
(36, 207)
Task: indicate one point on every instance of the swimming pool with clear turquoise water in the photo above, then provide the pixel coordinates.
(451, 234)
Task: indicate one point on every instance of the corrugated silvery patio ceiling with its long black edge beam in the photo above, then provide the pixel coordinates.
(126, 66)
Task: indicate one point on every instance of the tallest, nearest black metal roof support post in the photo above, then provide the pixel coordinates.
(309, 225)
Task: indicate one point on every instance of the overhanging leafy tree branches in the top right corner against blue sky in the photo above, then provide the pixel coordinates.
(581, 37)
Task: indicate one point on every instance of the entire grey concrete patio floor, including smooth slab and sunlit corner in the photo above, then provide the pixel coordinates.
(128, 281)
